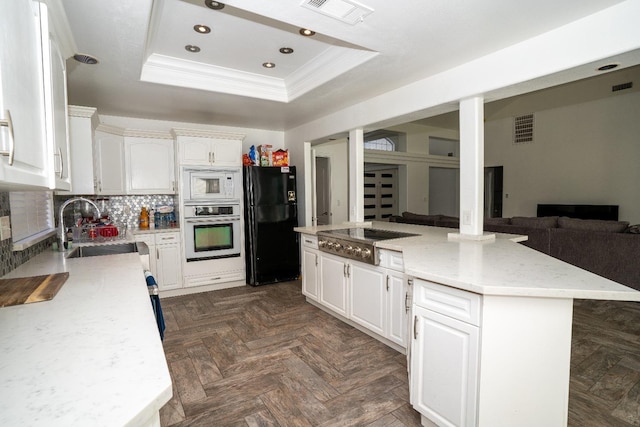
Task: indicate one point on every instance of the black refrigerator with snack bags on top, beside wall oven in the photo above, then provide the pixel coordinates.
(272, 253)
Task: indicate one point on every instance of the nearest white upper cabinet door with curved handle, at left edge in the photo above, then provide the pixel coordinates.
(24, 160)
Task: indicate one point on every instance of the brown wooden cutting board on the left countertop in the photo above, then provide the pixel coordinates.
(24, 290)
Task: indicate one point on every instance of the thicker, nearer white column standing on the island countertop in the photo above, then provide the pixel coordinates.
(471, 166)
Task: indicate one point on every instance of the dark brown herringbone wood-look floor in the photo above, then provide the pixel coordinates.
(263, 357)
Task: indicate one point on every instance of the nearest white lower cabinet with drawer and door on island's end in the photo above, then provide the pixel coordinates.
(445, 354)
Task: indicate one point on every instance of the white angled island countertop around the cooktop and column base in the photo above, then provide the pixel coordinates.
(499, 267)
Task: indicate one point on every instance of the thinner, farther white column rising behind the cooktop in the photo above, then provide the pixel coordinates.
(356, 175)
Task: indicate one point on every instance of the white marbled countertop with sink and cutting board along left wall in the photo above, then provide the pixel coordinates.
(91, 356)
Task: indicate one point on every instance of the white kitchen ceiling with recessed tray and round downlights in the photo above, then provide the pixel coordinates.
(146, 72)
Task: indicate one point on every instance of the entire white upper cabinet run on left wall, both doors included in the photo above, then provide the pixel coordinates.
(34, 143)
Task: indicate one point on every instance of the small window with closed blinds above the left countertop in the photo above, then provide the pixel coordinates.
(31, 217)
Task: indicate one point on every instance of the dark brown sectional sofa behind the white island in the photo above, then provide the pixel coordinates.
(607, 248)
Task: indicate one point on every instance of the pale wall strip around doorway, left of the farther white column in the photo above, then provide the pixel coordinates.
(337, 152)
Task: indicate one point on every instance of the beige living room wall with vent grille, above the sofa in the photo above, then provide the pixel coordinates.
(587, 153)
